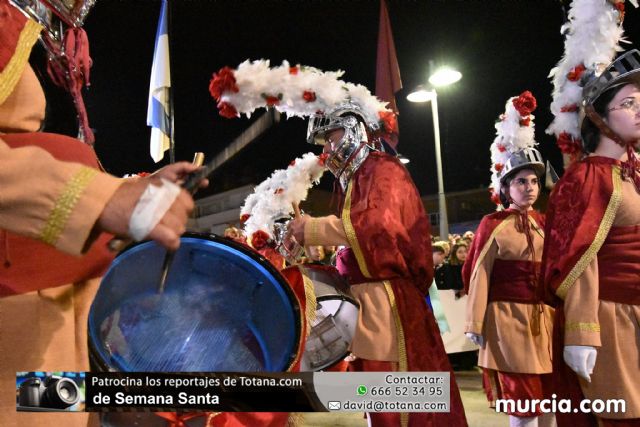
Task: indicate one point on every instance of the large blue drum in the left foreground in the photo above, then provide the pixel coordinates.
(224, 308)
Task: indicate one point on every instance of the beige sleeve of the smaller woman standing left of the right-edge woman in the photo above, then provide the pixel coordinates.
(479, 291)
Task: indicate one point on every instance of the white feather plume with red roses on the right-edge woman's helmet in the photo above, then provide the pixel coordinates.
(593, 33)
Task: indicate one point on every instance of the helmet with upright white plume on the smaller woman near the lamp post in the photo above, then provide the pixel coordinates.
(513, 148)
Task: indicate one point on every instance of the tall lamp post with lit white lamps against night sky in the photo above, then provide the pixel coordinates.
(442, 77)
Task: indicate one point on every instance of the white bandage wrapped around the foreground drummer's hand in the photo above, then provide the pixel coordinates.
(152, 205)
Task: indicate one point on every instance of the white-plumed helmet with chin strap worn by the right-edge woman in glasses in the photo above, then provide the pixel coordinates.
(593, 33)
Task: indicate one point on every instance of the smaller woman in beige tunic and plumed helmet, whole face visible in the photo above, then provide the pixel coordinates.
(505, 314)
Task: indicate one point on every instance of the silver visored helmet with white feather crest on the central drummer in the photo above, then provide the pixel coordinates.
(304, 91)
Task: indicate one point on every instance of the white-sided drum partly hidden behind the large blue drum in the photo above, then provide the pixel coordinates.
(336, 318)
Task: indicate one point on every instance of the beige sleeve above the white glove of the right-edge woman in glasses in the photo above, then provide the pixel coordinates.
(581, 309)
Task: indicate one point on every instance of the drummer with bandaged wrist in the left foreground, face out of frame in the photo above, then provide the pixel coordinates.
(54, 198)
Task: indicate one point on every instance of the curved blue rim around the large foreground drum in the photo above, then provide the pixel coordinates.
(94, 353)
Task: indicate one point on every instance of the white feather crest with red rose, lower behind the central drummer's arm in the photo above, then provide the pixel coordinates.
(274, 198)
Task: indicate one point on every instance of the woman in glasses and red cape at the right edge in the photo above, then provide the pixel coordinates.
(591, 263)
